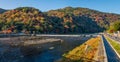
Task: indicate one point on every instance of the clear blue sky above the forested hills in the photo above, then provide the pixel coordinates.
(111, 6)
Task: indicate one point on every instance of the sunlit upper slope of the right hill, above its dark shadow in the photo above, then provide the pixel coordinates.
(101, 18)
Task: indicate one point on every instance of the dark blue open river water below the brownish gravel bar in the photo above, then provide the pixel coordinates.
(49, 52)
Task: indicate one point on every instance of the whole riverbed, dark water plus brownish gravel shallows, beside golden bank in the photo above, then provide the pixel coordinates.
(13, 50)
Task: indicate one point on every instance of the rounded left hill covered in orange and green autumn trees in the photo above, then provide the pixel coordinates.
(22, 19)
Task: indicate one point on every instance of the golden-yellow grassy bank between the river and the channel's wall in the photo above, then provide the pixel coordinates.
(85, 52)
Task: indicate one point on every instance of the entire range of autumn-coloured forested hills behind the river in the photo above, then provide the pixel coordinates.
(67, 20)
